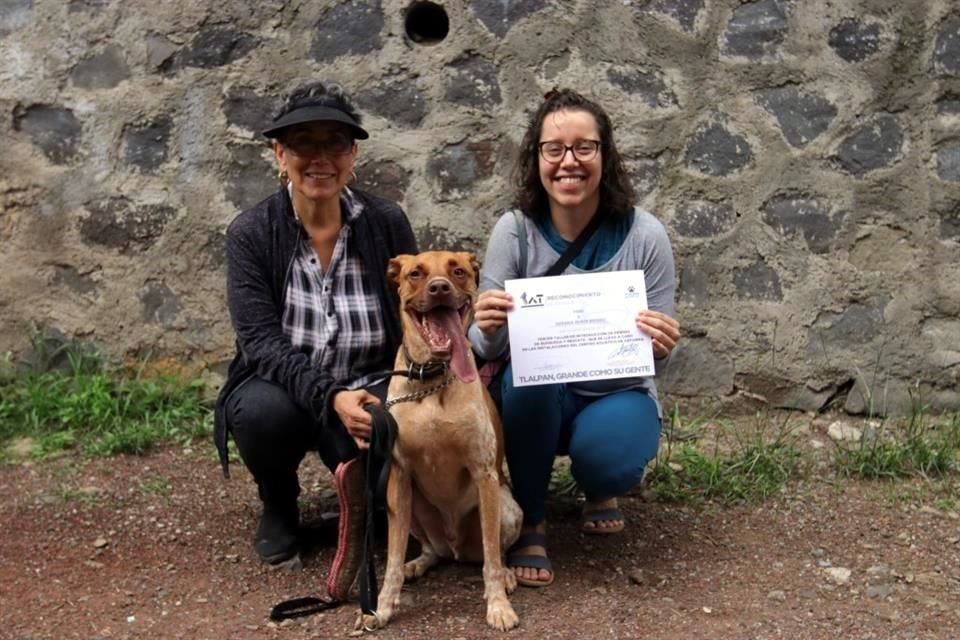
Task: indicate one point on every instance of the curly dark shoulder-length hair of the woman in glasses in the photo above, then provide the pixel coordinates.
(616, 193)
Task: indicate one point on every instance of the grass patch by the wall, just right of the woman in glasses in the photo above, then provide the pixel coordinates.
(737, 467)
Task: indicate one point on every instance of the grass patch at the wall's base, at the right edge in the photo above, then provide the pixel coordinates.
(917, 447)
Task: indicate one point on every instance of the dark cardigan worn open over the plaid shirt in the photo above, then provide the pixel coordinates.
(261, 243)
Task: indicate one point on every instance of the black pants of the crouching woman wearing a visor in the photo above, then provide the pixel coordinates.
(274, 434)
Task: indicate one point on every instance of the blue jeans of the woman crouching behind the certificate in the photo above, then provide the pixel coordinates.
(610, 439)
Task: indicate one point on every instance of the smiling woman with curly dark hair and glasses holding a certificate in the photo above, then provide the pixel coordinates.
(568, 175)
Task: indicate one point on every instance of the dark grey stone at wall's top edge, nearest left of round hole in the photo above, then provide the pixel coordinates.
(350, 28)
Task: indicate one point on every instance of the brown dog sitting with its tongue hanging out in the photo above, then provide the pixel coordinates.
(446, 484)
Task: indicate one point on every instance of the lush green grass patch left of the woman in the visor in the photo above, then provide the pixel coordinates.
(99, 411)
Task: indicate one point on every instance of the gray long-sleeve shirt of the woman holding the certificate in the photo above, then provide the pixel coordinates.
(646, 247)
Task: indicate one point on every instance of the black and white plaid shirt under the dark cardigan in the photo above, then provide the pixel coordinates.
(334, 316)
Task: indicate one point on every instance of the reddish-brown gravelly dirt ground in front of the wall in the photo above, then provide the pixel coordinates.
(159, 547)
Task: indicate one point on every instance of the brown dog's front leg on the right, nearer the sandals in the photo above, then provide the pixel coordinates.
(500, 613)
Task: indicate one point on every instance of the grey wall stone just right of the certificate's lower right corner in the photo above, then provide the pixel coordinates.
(697, 370)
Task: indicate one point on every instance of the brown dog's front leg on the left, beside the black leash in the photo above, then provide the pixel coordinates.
(399, 508)
